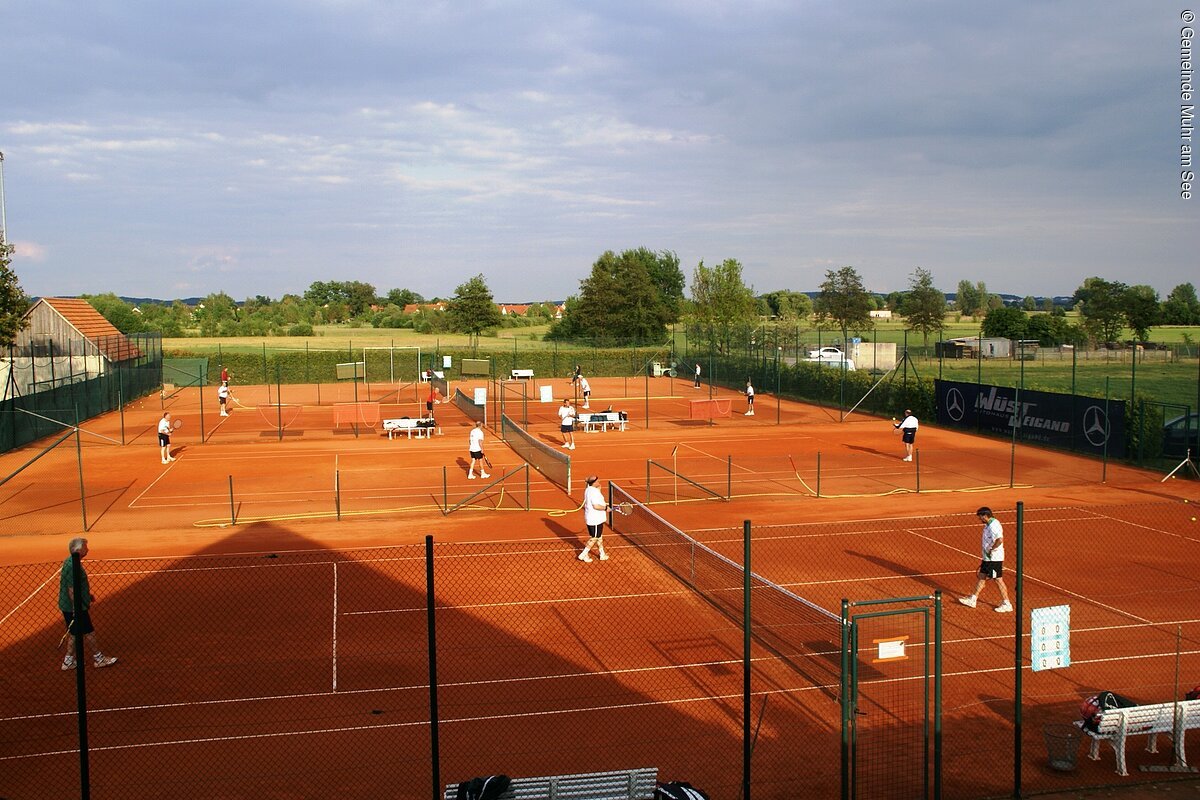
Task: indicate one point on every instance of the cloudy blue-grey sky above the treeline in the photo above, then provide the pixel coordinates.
(165, 149)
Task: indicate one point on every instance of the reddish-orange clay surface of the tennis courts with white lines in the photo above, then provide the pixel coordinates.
(278, 628)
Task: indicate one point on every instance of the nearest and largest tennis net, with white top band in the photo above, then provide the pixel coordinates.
(800, 633)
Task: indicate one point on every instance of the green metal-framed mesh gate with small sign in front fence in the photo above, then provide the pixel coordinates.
(892, 699)
